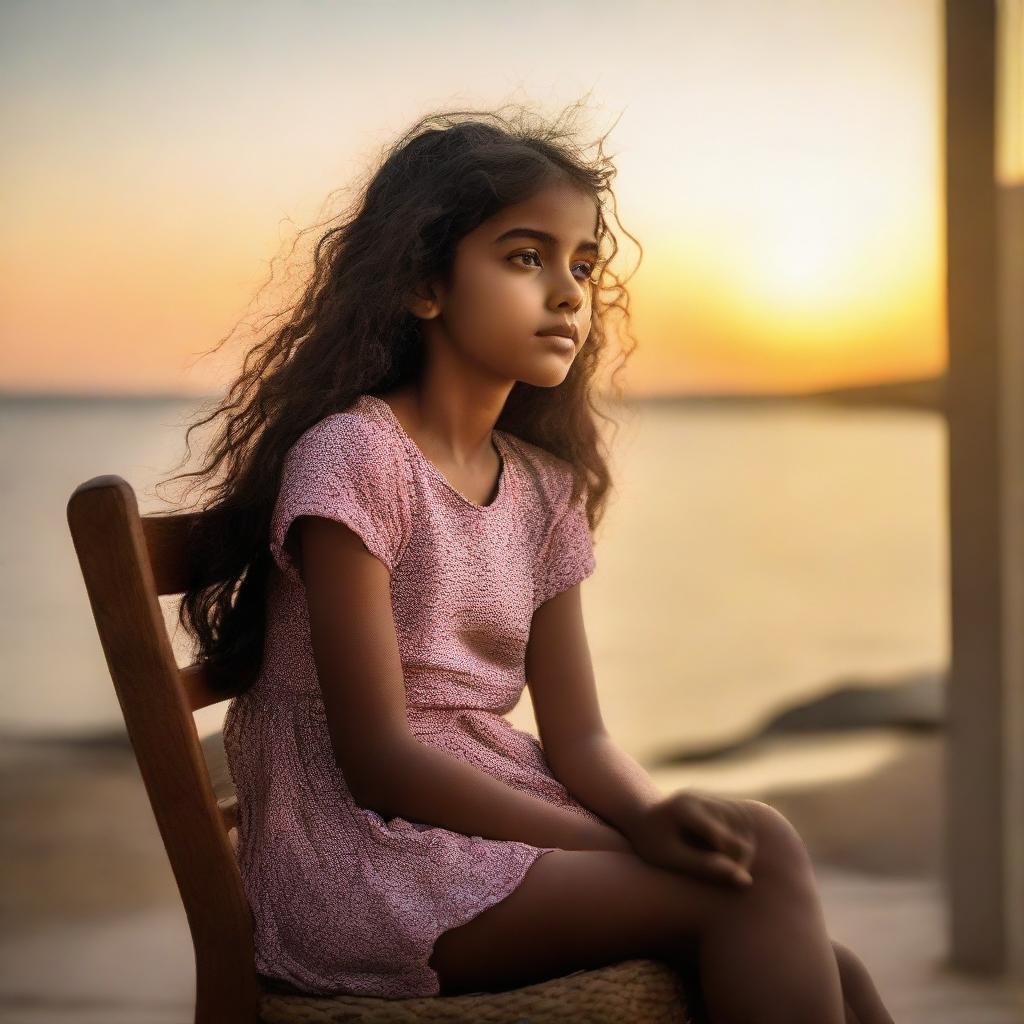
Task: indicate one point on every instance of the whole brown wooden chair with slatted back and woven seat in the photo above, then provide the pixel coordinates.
(127, 562)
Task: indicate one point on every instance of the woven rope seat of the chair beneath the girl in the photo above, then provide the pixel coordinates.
(646, 992)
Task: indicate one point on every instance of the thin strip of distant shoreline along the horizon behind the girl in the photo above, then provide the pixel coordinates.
(927, 394)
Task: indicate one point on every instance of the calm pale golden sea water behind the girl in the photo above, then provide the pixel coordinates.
(751, 557)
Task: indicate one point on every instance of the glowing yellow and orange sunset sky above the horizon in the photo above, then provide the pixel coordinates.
(780, 162)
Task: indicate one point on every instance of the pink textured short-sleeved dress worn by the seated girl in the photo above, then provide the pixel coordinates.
(345, 901)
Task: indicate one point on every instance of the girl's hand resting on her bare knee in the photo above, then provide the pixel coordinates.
(702, 835)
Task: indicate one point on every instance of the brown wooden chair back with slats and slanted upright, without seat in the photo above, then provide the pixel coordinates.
(127, 563)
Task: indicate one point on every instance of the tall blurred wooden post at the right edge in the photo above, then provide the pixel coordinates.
(985, 767)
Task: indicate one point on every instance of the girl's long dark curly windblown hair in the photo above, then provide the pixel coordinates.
(350, 333)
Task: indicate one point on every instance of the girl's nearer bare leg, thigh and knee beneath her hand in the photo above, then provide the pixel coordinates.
(763, 953)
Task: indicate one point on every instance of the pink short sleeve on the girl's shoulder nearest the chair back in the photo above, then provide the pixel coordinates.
(349, 470)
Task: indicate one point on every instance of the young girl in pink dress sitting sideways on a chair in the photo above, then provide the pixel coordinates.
(412, 473)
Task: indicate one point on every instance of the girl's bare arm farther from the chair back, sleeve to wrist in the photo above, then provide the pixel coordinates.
(582, 754)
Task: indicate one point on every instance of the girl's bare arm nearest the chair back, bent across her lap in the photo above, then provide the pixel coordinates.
(356, 651)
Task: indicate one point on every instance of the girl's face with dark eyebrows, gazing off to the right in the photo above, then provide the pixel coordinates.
(530, 269)
